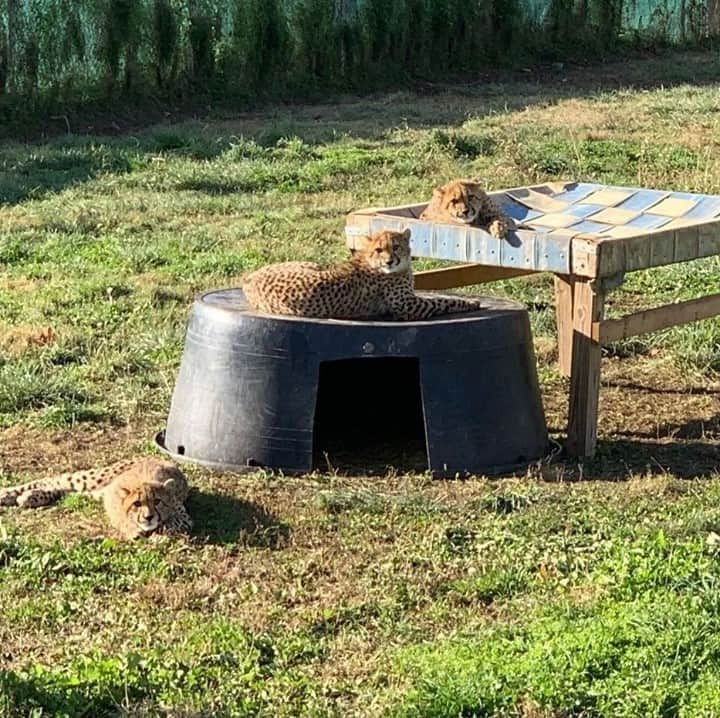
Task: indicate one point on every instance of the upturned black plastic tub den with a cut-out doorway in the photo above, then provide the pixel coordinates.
(268, 391)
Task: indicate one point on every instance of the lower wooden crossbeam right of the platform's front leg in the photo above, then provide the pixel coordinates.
(652, 320)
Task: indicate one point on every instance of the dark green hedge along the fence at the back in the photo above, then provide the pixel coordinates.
(54, 52)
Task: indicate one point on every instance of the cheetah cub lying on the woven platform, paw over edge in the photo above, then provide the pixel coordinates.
(466, 202)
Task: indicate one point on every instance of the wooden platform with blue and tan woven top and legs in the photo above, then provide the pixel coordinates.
(589, 236)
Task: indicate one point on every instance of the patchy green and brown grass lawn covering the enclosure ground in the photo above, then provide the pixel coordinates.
(579, 589)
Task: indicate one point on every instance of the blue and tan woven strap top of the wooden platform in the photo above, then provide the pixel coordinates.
(577, 228)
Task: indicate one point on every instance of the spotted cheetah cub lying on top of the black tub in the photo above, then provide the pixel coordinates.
(376, 282)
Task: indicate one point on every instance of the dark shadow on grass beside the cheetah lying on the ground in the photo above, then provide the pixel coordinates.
(223, 519)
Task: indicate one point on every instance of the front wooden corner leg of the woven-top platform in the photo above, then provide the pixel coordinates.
(588, 304)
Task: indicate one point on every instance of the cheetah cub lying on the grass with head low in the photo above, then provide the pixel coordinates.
(140, 497)
